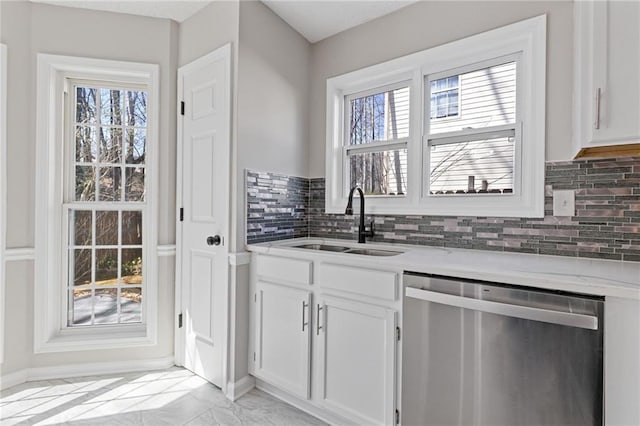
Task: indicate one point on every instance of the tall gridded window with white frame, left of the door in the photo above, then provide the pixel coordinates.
(96, 244)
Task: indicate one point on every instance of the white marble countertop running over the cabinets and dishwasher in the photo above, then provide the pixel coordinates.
(588, 276)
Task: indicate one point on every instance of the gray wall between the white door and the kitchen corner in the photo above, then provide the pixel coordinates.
(273, 99)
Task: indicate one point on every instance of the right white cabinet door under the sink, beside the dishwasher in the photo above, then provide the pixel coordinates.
(356, 355)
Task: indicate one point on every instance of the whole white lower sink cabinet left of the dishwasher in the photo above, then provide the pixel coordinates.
(325, 337)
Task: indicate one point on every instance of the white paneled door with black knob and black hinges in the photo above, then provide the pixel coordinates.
(203, 195)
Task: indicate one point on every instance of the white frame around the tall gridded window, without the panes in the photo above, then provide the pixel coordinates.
(51, 333)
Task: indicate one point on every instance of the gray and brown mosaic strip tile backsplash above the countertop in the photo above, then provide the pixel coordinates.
(606, 224)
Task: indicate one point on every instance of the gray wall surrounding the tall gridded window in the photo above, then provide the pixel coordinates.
(28, 29)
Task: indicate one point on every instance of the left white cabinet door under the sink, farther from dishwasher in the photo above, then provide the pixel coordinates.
(282, 337)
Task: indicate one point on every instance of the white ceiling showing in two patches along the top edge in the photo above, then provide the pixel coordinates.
(314, 19)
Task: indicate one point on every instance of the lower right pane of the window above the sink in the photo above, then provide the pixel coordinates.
(476, 166)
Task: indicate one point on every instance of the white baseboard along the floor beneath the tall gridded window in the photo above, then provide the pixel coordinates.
(84, 369)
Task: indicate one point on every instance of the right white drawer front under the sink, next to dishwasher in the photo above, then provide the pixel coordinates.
(368, 282)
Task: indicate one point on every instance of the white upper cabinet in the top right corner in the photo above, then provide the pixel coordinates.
(607, 71)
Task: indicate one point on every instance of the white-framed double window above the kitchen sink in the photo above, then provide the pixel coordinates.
(453, 130)
